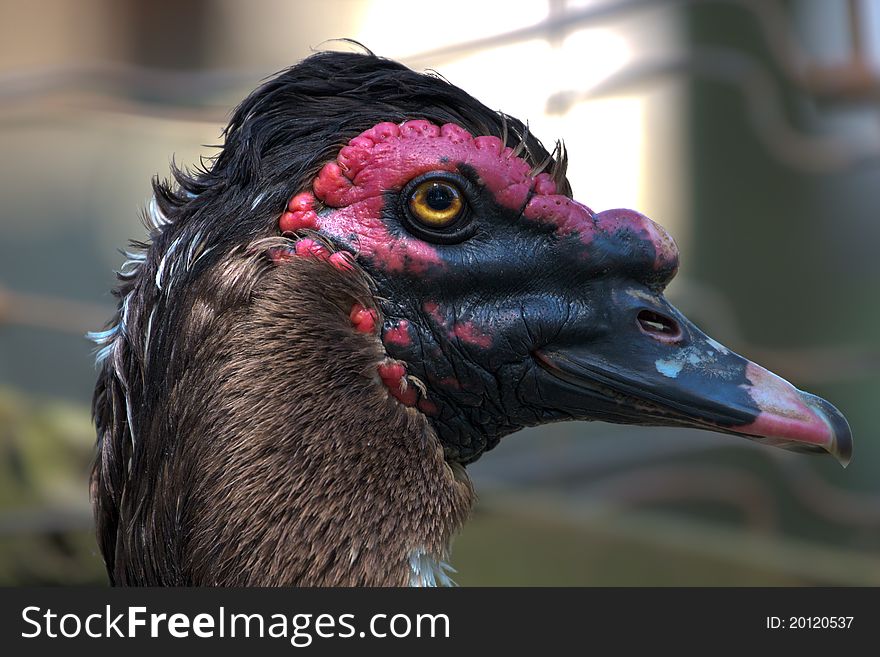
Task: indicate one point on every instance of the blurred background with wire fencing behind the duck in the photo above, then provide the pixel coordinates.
(749, 128)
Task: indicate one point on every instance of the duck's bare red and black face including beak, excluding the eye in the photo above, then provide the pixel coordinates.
(532, 308)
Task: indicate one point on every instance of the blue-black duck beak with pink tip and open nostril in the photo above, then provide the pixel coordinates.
(660, 369)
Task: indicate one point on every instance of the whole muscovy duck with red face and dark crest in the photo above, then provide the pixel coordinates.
(374, 281)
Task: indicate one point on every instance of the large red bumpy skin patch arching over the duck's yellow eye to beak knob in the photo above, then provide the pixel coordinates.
(387, 156)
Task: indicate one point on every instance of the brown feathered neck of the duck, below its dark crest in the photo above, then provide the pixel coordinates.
(252, 442)
